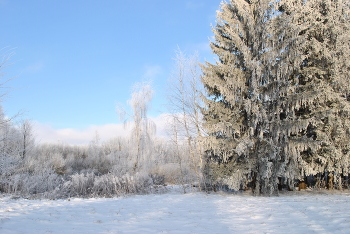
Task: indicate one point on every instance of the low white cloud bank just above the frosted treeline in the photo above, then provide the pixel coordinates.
(45, 133)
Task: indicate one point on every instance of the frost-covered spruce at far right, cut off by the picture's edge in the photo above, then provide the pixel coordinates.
(319, 89)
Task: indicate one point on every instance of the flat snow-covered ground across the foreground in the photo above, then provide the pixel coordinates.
(179, 213)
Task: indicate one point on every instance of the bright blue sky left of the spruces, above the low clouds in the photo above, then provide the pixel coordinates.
(75, 60)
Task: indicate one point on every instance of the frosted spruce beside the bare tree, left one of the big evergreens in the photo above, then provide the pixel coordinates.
(235, 114)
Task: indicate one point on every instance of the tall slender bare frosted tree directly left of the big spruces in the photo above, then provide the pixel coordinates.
(184, 103)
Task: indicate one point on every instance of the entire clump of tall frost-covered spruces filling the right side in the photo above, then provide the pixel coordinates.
(277, 103)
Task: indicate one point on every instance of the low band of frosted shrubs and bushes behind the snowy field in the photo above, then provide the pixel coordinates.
(104, 169)
